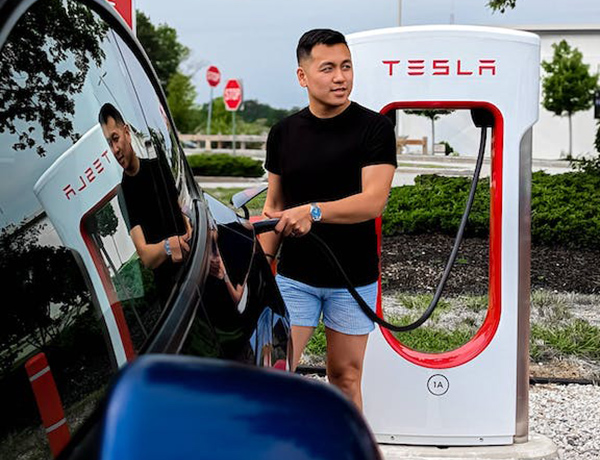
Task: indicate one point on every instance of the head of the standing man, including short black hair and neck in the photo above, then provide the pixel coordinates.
(325, 70)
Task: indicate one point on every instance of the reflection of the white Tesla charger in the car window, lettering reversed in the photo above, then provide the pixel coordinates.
(79, 182)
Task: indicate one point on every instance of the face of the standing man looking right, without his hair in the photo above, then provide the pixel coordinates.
(328, 75)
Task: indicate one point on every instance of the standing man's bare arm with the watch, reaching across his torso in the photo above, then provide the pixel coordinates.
(363, 206)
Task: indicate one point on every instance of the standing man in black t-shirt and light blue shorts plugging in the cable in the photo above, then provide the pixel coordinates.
(330, 170)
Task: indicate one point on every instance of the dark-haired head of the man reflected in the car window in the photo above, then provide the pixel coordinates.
(118, 136)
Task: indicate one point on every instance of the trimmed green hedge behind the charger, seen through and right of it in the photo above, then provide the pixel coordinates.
(565, 208)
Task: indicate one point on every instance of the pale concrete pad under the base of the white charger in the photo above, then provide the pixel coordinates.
(538, 447)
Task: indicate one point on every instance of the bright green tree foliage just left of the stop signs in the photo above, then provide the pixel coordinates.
(181, 96)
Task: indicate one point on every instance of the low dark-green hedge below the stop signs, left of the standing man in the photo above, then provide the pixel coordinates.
(222, 164)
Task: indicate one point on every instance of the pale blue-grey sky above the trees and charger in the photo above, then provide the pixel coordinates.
(255, 40)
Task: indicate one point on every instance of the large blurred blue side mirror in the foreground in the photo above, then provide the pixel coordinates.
(166, 406)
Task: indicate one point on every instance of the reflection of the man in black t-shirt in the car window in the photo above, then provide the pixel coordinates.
(157, 227)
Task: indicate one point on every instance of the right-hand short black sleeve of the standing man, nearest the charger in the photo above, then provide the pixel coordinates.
(380, 143)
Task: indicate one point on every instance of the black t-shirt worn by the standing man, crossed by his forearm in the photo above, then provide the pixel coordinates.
(321, 159)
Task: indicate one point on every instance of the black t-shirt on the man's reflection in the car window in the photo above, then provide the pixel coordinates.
(151, 202)
